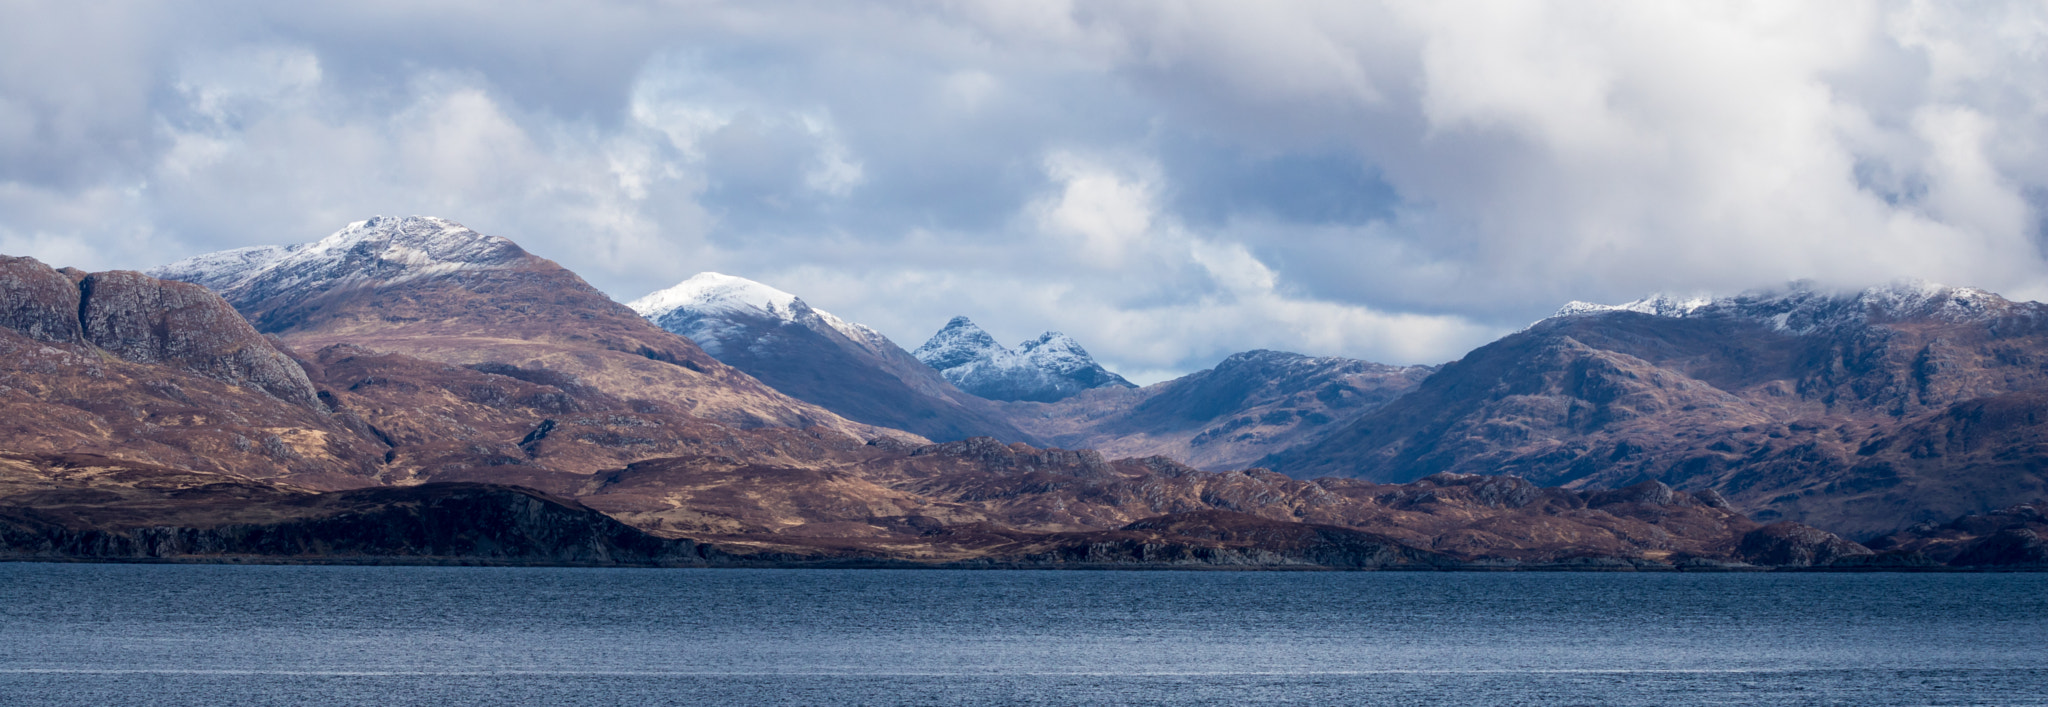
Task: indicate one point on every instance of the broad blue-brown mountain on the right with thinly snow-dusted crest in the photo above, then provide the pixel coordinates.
(1859, 413)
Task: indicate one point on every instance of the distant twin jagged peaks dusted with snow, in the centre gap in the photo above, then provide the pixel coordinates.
(1041, 370)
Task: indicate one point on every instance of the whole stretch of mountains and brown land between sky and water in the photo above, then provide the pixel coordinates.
(411, 390)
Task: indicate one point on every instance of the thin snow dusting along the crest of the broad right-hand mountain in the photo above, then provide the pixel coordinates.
(1805, 308)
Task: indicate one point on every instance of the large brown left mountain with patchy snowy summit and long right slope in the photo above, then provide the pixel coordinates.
(441, 292)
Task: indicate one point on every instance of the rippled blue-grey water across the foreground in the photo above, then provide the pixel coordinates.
(495, 636)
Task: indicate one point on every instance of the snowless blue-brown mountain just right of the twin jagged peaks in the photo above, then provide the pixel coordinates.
(1230, 417)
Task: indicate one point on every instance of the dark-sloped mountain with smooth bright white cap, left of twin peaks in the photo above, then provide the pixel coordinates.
(818, 358)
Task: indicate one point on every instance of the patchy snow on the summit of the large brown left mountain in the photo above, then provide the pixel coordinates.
(380, 251)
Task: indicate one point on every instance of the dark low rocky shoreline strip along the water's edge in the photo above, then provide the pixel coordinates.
(507, 526)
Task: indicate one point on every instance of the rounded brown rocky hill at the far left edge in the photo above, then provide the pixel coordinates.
(161, 374)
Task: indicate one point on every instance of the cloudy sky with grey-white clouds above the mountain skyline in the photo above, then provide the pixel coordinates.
(1164, 181)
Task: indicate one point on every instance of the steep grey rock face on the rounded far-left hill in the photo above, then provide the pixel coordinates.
(148, 321)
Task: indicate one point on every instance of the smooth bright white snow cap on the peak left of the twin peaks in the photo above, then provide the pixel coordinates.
(710, 310)
